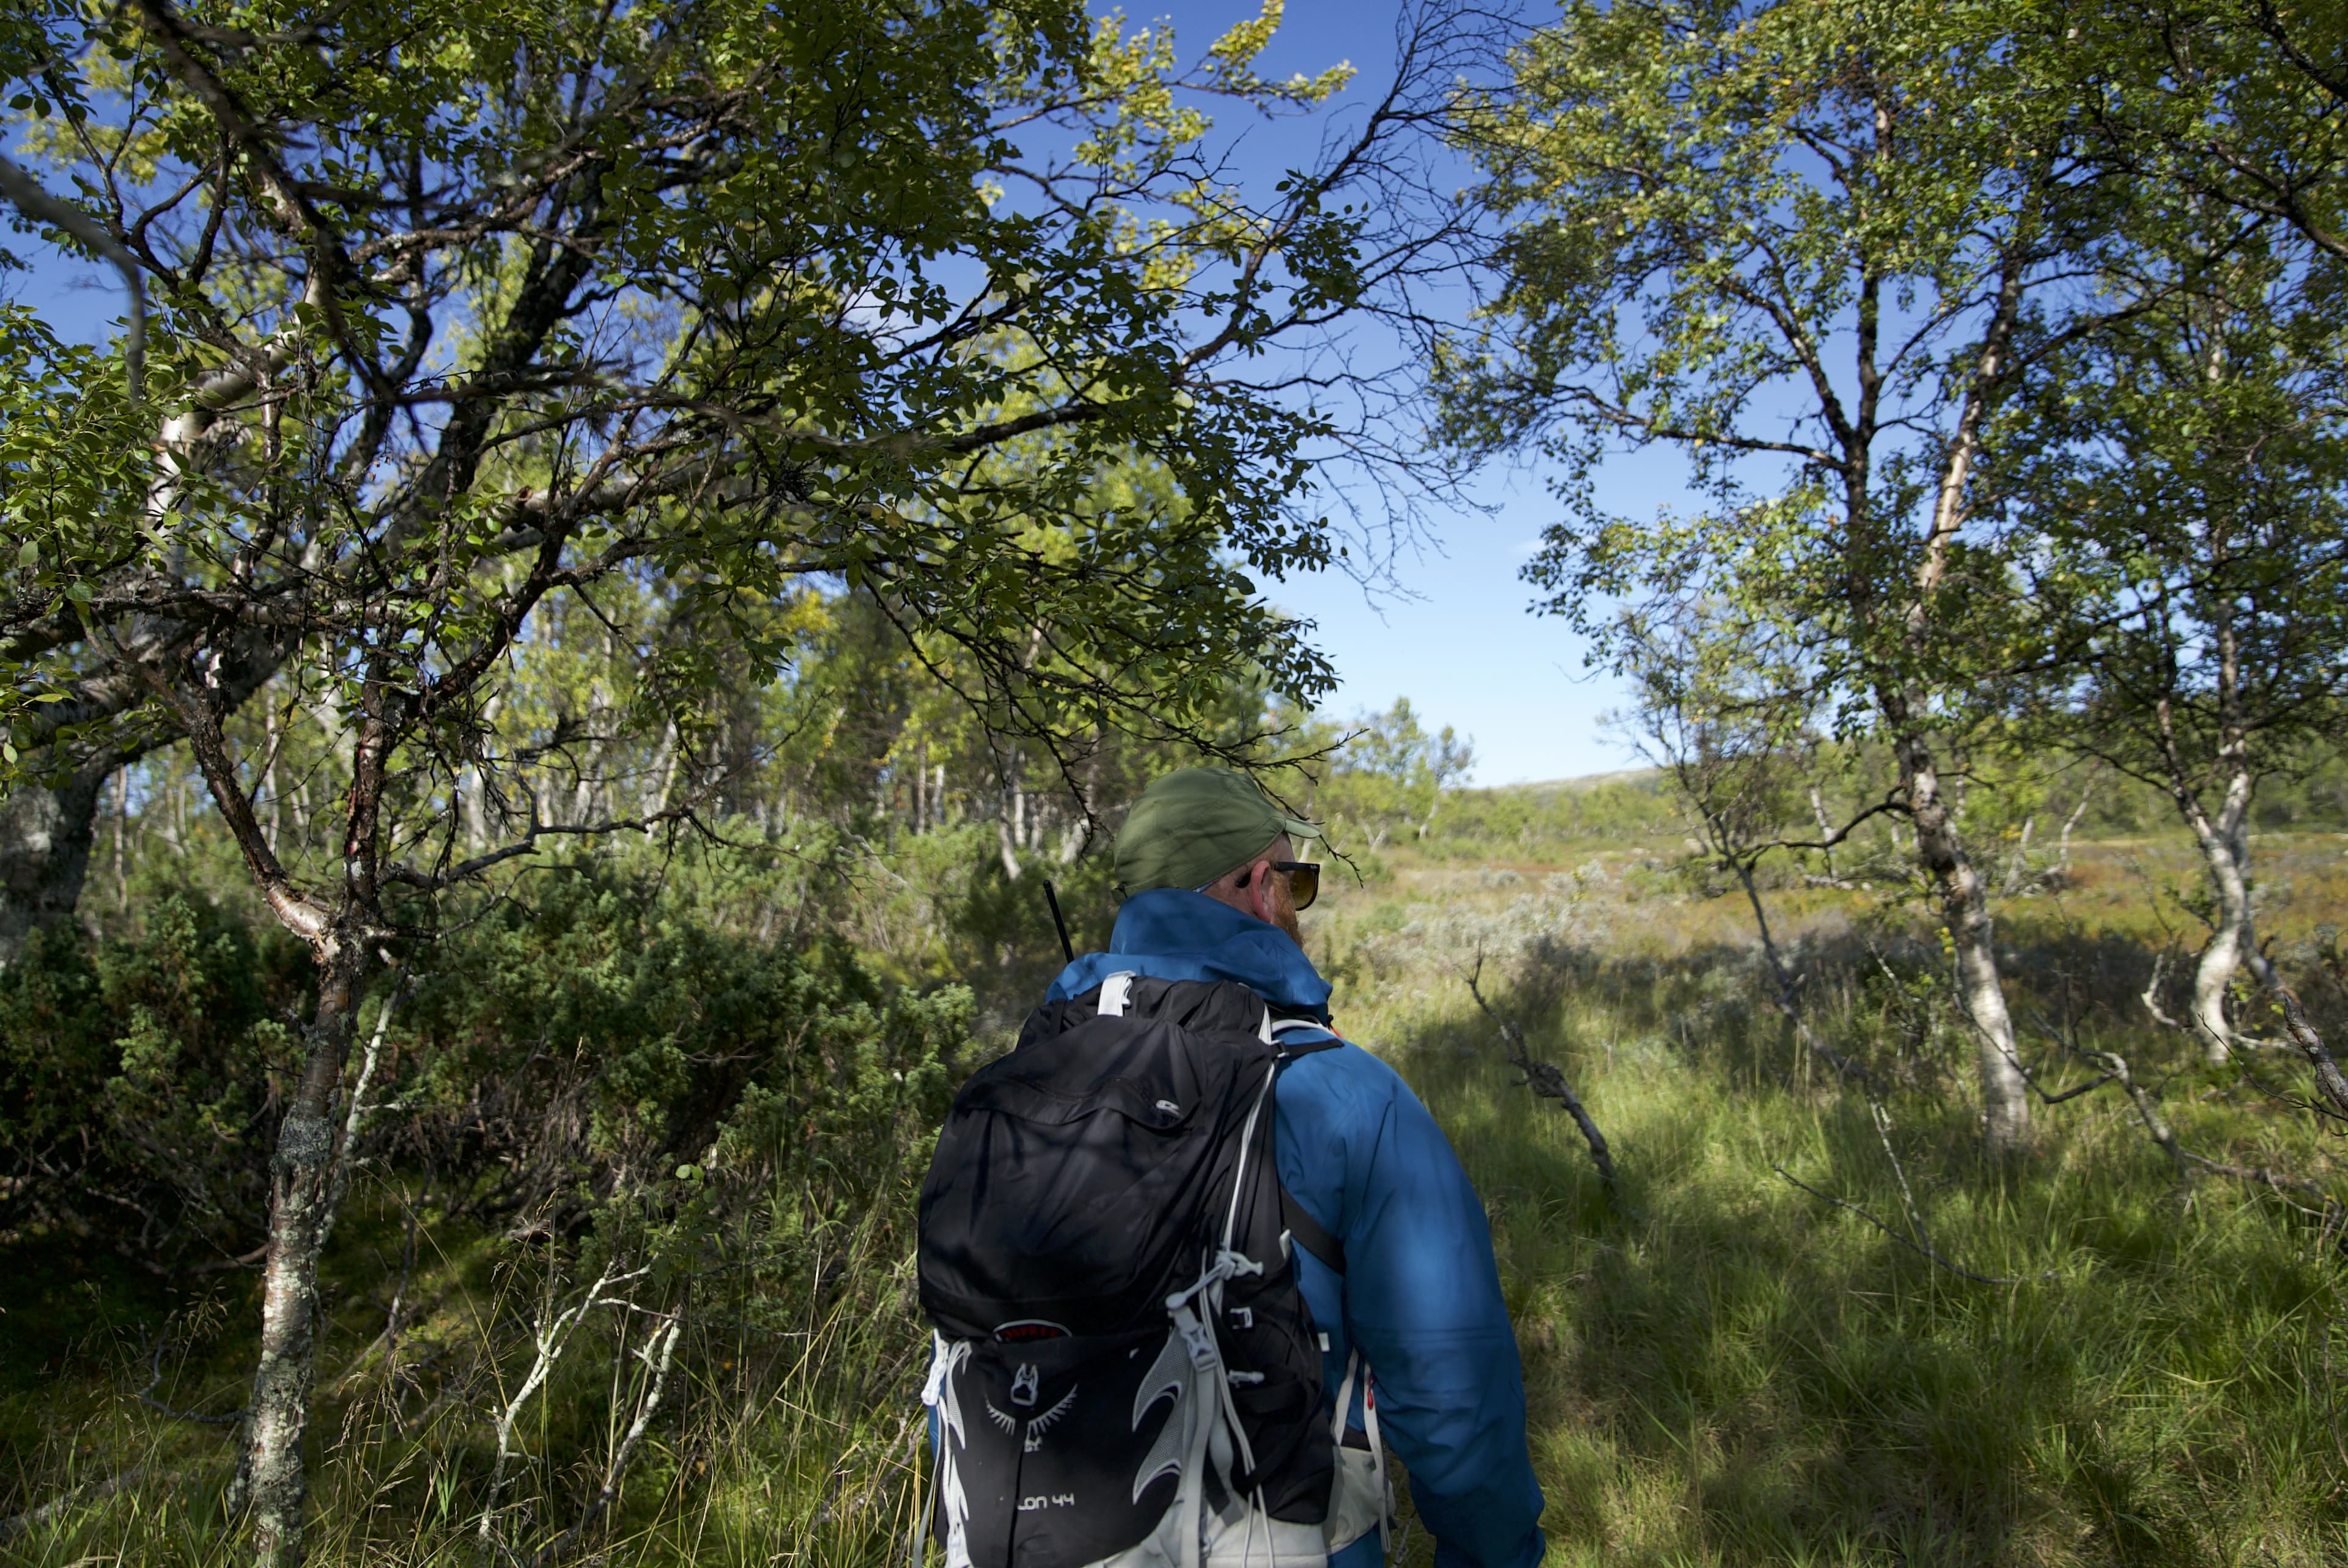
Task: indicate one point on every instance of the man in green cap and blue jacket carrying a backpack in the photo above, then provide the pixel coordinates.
(1372, 1250)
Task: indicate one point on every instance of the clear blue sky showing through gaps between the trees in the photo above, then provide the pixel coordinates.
(1459, 637)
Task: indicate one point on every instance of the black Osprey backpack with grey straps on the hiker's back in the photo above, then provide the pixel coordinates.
(1105, 1257)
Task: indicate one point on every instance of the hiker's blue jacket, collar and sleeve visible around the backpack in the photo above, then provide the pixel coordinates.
(1422, 1292)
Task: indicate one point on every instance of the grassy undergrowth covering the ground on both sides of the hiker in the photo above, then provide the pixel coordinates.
(1725, 1367)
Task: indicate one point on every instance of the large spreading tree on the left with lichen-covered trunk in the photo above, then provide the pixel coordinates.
(661, 313)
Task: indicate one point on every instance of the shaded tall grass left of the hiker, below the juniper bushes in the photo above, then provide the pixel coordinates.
(790, 1435)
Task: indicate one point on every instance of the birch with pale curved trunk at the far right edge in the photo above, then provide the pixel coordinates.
(2185, 492)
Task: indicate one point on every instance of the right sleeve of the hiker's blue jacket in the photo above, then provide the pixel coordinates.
(1424, 1306)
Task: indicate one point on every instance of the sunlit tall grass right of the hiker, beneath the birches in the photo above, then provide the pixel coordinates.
(1727, 1370)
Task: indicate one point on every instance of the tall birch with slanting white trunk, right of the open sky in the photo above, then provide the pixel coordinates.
(1814, 250)
